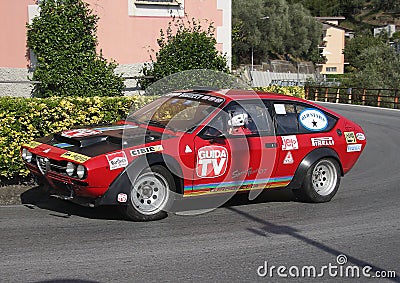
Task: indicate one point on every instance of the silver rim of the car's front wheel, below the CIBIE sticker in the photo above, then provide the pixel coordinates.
(150, 193)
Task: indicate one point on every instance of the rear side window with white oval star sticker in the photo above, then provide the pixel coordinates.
(296, 118)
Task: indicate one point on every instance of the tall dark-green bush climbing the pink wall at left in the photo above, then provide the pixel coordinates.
(64, 40)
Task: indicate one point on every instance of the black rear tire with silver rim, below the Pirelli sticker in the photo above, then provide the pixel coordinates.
(321, 181)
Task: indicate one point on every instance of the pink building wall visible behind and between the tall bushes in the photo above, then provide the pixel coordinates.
(122, 37)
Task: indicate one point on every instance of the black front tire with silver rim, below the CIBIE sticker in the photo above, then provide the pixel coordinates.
(151, 195)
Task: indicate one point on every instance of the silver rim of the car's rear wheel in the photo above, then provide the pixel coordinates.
(324, 177)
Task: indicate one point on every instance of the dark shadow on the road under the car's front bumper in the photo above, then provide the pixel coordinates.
(38, 197)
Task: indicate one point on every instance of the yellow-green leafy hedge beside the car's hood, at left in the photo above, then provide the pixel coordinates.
(23, 119)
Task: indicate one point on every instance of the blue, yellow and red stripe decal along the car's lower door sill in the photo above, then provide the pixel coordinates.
(236, 186)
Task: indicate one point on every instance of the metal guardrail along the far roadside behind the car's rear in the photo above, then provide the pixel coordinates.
(387, 98)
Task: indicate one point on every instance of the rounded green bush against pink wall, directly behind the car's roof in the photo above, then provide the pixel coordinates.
(185, 45)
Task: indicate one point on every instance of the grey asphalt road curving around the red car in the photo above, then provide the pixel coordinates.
(49, 240)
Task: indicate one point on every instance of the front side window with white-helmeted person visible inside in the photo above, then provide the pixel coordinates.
(241, 119)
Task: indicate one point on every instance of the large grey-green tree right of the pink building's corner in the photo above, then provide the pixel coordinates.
(273, 29)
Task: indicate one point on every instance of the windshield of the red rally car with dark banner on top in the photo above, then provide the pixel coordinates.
(177, 112)
